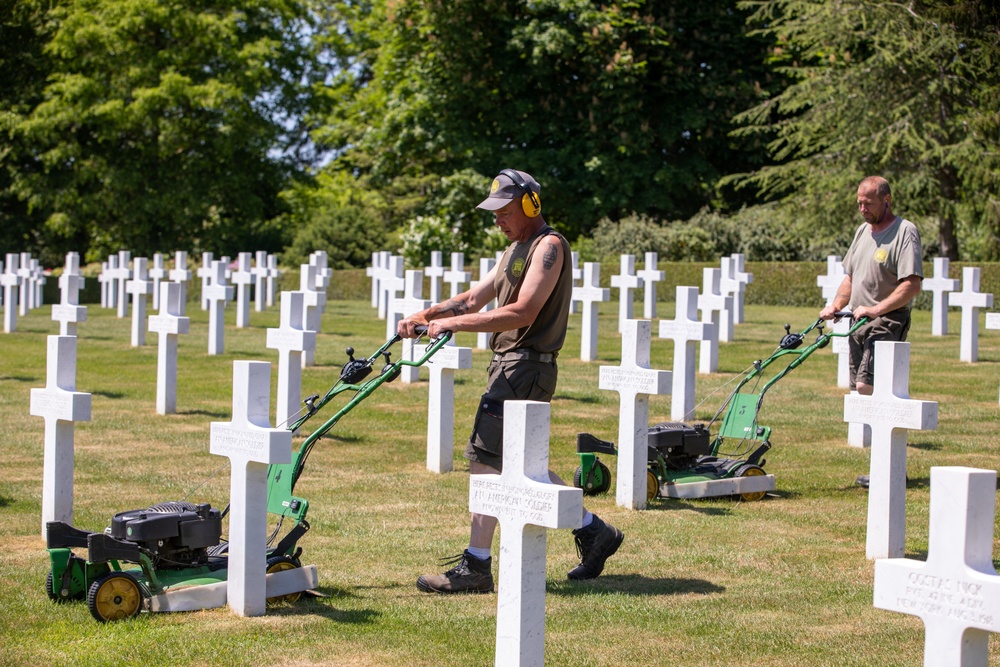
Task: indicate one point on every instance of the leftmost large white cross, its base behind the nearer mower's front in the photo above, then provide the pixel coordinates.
(61, 405)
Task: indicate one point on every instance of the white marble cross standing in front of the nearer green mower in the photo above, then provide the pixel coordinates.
(251, 445)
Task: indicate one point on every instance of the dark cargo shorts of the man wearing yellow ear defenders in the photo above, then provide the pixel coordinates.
(518, 380)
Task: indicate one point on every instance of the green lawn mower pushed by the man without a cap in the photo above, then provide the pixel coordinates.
(685, 461)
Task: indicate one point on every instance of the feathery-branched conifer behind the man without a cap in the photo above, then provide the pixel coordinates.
(910, 91)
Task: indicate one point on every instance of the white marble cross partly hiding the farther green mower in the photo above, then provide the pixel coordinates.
(635, 382)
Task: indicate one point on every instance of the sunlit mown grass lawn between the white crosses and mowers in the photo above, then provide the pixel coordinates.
(714, 582)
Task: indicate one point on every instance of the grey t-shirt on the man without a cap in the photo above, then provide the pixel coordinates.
(877, 262)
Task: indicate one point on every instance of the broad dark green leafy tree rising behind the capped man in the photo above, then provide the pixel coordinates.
(614, 107)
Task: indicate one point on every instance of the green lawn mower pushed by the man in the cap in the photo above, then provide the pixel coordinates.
(171, 556)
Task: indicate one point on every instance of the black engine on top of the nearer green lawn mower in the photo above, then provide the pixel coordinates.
(175, 534)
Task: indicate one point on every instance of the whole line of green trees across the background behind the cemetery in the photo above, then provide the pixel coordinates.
(357, 125)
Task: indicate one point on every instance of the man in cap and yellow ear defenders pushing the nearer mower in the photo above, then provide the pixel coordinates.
(532, 283)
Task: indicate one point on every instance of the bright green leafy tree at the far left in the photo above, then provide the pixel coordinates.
(166, 124)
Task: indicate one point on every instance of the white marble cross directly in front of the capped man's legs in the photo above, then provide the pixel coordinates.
(526, 503)
